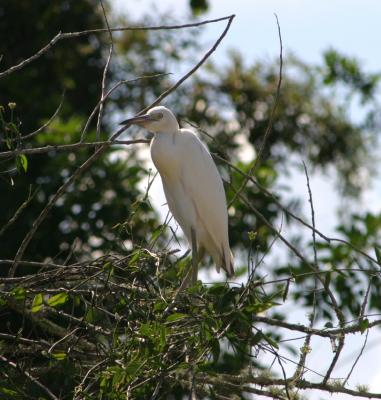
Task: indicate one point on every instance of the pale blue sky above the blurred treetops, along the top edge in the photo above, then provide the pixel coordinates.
(308, 27)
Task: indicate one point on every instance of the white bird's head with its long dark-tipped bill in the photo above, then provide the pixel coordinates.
(157, 120)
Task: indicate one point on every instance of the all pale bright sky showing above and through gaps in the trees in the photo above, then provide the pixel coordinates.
(308, 28)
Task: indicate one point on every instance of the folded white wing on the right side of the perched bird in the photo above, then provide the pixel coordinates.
(204, 186)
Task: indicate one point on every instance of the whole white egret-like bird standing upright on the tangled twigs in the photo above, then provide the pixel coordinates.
(192, 185)
